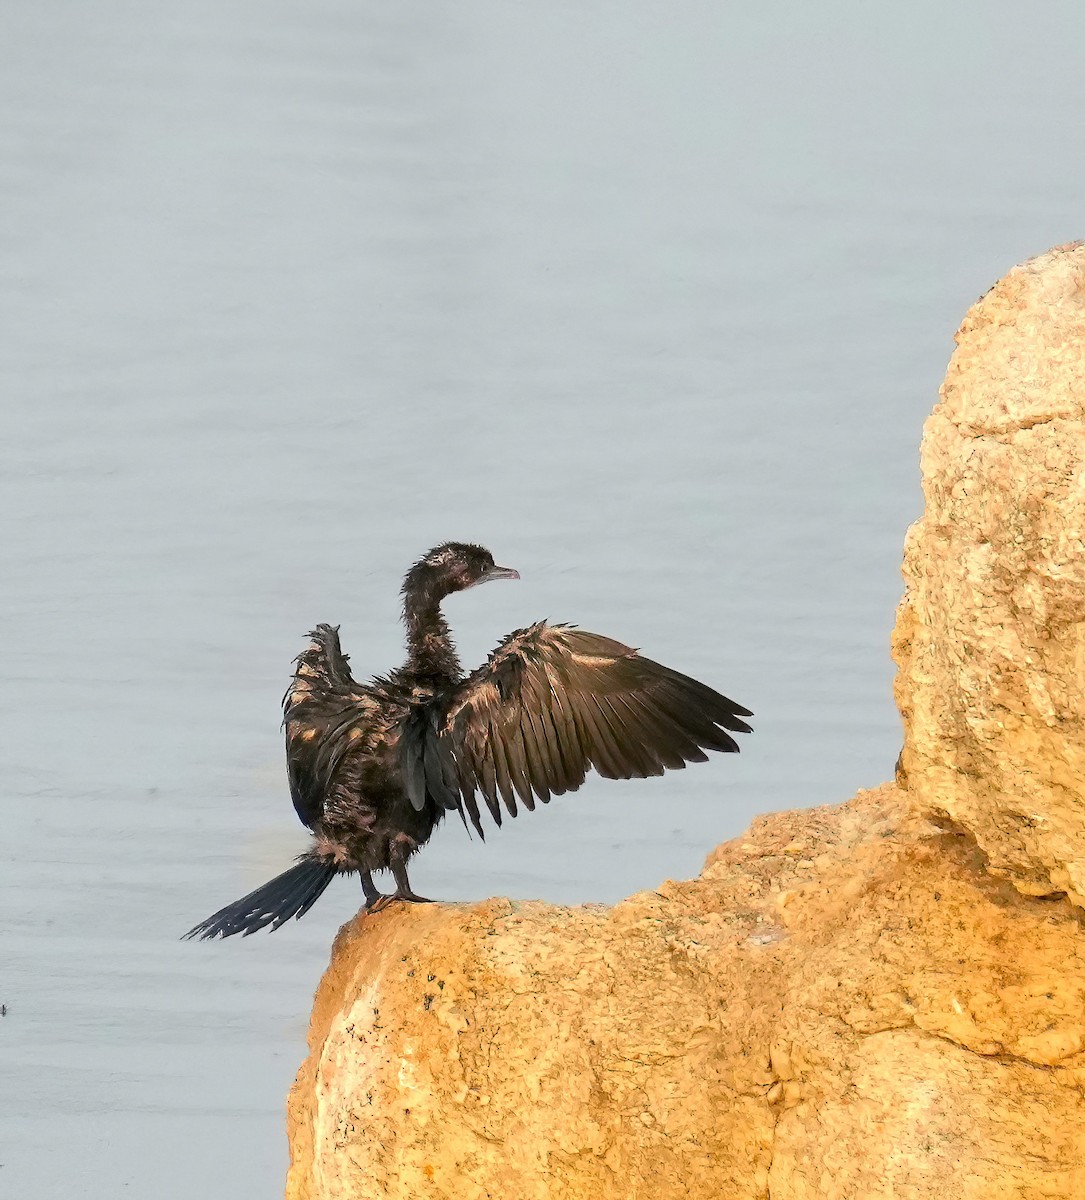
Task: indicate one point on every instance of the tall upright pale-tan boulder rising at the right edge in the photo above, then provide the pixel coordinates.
(991, 635)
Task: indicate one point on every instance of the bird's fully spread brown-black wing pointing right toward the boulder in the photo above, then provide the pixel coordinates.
(550, 704)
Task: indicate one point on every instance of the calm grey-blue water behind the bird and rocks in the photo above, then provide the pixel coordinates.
(651, 302)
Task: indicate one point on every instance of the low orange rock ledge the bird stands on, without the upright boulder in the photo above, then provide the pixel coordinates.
(846, 1005)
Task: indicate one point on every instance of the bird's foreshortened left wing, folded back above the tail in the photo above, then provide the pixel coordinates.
(325, 712)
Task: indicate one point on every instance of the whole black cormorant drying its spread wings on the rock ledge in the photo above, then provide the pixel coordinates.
(375, 767)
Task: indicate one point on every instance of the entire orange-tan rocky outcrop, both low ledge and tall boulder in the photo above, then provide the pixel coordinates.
(879, 1000)
